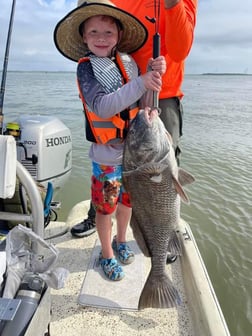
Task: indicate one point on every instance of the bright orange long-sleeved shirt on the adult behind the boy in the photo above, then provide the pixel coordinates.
(176, 30)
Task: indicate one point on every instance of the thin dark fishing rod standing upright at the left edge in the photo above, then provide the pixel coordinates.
(5, 64)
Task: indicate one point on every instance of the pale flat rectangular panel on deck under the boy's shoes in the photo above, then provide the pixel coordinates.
(98, 291)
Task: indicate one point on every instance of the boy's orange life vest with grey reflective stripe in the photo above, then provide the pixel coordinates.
(111, 130)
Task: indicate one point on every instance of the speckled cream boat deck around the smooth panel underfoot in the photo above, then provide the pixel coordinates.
(70, 318)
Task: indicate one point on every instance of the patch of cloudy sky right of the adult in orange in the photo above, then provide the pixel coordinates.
(223, 40)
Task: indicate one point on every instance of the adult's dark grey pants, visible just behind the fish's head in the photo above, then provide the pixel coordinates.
(172, 117)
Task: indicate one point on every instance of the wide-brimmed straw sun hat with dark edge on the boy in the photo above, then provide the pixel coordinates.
(68, 39)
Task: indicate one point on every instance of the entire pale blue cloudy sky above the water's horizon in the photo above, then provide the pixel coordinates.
(222, 42)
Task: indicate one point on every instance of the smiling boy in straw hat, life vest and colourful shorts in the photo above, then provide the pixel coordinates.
(112, 91)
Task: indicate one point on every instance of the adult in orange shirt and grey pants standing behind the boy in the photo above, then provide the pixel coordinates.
(175, 22)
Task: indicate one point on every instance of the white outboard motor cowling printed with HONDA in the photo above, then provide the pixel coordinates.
(45, 149)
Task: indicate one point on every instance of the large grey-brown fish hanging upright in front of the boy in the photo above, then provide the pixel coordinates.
(152, 178)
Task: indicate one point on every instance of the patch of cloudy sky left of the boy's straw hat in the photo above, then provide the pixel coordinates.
(32, 46)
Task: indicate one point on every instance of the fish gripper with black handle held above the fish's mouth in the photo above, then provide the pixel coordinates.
(156, 40)
